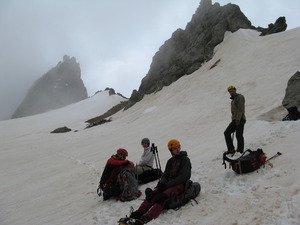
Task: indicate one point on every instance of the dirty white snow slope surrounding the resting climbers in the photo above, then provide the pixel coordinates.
(52, 178)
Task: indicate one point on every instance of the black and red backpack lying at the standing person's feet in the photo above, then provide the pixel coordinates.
(248, 162)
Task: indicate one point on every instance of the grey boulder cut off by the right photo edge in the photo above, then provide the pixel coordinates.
(292, 93)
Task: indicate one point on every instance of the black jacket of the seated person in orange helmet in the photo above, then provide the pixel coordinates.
(178, 170)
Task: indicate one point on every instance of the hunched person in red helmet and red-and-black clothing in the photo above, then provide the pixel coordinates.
(108, 181)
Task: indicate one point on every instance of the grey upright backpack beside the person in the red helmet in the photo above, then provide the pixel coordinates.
(128, 185)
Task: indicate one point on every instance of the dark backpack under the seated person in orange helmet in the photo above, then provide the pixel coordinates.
(192, 190)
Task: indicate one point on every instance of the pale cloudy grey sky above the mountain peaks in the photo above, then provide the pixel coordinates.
(114, 41)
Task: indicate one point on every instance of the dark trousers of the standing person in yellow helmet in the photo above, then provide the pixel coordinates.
(239, 129)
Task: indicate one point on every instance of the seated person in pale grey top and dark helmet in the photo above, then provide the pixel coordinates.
(146, 162)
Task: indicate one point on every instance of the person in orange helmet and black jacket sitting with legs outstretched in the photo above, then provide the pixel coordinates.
(173, 180)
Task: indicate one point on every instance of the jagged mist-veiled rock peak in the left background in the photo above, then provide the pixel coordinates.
(60, 86)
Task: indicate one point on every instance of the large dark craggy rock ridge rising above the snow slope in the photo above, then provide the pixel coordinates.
(187, 49)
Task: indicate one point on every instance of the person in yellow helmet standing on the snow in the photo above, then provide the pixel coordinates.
(238, 120)
